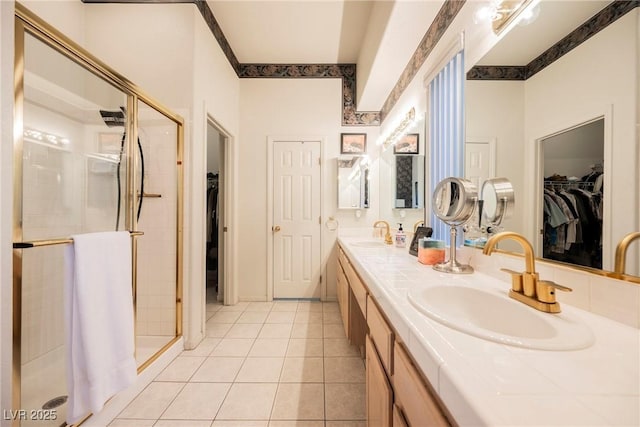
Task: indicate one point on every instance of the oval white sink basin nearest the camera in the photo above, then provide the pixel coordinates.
(493, 316)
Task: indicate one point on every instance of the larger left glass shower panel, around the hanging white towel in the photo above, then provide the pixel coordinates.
(73, 174)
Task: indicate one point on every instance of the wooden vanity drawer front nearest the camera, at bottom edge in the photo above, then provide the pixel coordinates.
(414, 398)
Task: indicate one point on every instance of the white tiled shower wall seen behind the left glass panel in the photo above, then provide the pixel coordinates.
(54, 206)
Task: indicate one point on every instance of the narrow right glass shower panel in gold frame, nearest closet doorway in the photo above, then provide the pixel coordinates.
(157, 215)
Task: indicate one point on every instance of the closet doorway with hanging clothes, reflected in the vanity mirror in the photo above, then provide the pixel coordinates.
(573, 203)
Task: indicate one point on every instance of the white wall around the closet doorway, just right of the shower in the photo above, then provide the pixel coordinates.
(216, 94)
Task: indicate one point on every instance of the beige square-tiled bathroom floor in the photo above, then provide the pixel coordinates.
(262, 364)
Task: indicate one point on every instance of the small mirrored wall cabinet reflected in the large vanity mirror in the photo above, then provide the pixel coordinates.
(409, 181)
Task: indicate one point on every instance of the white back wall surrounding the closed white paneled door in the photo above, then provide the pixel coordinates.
(290, 108)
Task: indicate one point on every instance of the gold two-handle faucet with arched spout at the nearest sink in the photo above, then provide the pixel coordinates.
(527, 287)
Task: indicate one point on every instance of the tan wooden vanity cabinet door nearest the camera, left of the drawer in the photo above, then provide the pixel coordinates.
(379, 393)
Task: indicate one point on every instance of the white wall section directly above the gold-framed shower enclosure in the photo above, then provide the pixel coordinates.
(133, 39)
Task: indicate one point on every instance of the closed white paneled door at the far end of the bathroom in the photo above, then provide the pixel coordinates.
(296, 219)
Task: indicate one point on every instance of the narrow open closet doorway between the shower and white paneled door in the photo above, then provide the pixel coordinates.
(215, 212)
